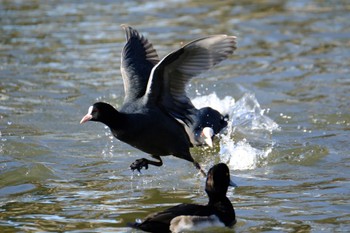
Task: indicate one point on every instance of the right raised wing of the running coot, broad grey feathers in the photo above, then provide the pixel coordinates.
(168, 79)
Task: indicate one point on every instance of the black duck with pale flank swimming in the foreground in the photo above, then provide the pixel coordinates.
(218, 212)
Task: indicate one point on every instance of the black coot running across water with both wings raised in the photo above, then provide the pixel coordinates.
(156, 108)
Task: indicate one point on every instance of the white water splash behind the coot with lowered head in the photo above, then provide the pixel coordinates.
(247, 139)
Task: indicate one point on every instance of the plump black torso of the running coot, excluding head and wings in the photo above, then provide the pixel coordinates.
(144, 128)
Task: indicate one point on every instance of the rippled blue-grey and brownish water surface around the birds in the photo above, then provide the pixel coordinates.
(286, 89)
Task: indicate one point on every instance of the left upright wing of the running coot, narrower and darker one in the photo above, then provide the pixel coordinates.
(137, 60)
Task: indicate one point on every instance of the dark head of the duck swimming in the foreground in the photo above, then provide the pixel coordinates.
(218, 180)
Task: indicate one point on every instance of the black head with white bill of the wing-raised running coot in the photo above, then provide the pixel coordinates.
(100, 111)
